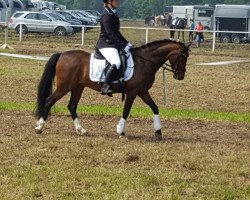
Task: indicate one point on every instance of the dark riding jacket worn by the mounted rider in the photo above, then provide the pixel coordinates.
(110, 35)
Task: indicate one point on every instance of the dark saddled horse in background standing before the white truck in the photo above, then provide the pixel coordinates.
(176, 23)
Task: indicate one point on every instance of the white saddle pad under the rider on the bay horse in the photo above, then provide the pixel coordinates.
(97, 66)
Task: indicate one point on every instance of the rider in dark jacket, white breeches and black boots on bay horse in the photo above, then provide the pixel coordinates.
(111, 42)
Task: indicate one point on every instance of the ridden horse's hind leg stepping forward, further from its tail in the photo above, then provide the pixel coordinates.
(72, 106)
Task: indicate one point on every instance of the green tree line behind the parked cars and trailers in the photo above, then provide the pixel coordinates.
(138, 9)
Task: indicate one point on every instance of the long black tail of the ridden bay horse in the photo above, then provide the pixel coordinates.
(45, 86)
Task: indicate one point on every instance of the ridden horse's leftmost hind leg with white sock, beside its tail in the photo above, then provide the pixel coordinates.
(51, 100)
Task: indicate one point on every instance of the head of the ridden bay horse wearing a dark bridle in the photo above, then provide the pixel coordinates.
(178, 61)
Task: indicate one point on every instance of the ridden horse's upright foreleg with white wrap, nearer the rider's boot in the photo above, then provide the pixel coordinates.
(120, 128)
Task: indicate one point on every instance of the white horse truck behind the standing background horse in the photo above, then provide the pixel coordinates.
(199, 13)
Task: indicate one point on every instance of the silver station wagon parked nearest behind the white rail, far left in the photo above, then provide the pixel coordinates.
(39, 22)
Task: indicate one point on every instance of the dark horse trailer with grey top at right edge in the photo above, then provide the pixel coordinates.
(235, 18)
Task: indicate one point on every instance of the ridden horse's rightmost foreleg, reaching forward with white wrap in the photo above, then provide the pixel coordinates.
(156, 118)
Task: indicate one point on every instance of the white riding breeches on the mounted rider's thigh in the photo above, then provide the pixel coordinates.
(112, 56)
